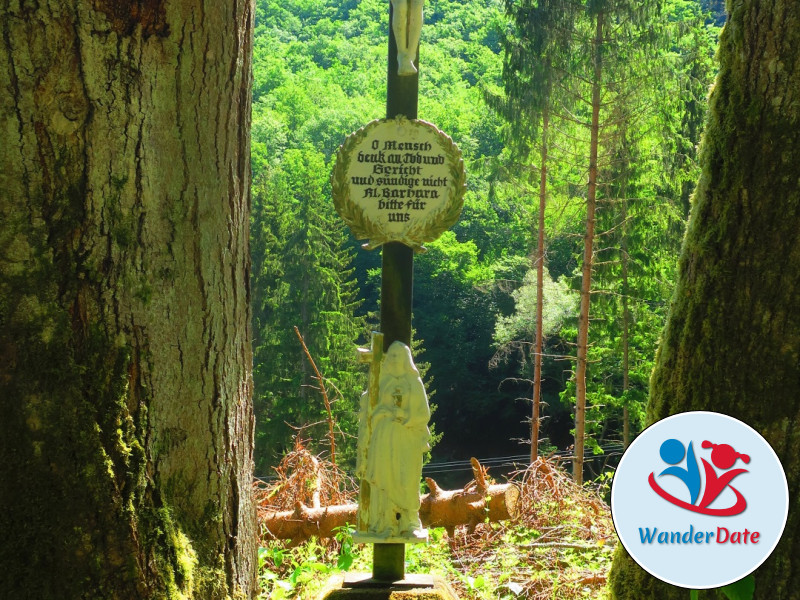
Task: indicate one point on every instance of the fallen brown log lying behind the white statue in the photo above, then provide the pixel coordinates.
(474, 504)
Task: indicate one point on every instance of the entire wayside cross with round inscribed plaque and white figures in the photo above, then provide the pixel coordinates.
(398, 214)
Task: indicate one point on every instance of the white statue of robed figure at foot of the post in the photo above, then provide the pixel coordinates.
(398, 439)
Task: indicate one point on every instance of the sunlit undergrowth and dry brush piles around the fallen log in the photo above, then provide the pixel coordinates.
(559, 546)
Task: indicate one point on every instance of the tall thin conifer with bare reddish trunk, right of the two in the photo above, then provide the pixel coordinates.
(599, 33)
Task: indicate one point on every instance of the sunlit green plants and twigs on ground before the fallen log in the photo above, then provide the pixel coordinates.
(504, 561)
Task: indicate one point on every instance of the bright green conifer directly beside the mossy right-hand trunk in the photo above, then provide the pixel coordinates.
(649, 157)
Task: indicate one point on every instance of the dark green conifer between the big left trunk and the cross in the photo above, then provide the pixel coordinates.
(310, 286)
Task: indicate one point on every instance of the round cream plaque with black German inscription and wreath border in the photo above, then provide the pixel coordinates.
(398, 180)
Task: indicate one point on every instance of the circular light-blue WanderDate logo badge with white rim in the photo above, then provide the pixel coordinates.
(699, 500)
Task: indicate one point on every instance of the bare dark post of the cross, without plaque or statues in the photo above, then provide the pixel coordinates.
(397, 279)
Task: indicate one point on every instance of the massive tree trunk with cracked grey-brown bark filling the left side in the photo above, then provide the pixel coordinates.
(125, 361)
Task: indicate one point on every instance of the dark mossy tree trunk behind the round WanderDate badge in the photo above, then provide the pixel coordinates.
(732, 340)
